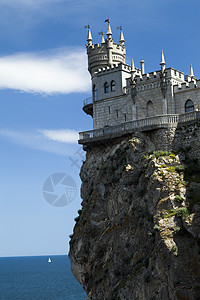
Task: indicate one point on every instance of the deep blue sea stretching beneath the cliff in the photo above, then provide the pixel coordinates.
(33, 278)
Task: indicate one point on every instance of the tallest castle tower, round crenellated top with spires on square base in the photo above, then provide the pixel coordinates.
(106, 64)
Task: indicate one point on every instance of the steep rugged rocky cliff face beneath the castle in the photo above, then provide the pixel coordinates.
(138, 233)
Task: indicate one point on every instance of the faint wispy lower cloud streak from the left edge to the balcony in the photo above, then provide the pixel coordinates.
(61, 142)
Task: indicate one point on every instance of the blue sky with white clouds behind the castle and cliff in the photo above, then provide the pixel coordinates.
(43, 82)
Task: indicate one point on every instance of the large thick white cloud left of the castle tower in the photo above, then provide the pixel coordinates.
(59, 71)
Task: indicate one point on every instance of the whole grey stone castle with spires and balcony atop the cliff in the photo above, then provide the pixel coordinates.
(125, 97)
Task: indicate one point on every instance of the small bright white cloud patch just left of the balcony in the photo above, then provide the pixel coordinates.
(62, 135)
